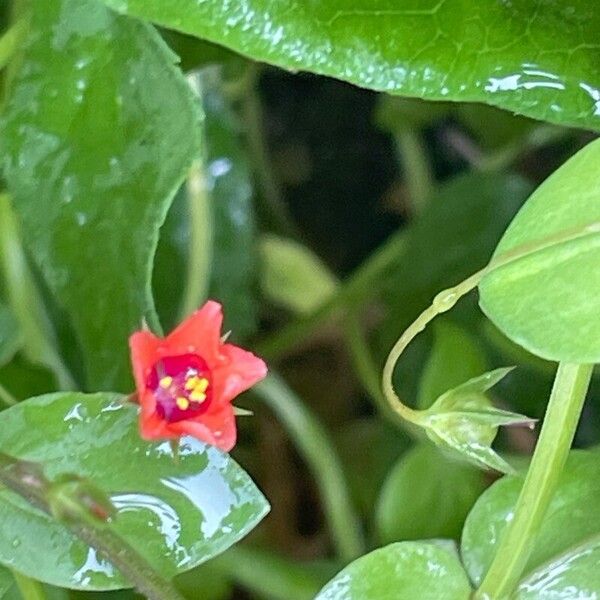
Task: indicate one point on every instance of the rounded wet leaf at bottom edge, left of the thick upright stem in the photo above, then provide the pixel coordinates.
(403, 571)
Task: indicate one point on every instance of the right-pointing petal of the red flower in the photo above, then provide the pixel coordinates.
(238, 371)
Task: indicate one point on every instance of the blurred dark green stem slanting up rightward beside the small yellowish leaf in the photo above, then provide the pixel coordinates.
(359, 287)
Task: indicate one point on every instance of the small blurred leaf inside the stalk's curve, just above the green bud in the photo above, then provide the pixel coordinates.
(455, 358)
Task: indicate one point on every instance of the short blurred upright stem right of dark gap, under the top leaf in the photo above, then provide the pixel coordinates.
(416, 168)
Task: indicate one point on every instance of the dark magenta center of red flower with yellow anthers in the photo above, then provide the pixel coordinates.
(181, 386)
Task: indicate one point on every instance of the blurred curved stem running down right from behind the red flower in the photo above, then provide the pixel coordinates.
(313, 442)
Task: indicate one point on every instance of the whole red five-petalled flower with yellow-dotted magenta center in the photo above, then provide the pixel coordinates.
(186, 381)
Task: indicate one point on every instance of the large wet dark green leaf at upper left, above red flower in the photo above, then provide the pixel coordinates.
(98, 131)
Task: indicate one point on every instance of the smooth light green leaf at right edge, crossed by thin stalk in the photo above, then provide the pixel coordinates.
(541, 299)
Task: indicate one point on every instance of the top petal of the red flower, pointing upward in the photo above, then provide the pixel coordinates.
(200, 333)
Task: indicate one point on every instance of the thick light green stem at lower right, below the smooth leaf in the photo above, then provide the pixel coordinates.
(562, 415)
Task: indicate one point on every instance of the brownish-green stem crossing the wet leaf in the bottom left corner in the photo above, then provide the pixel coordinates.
(28, 481)
